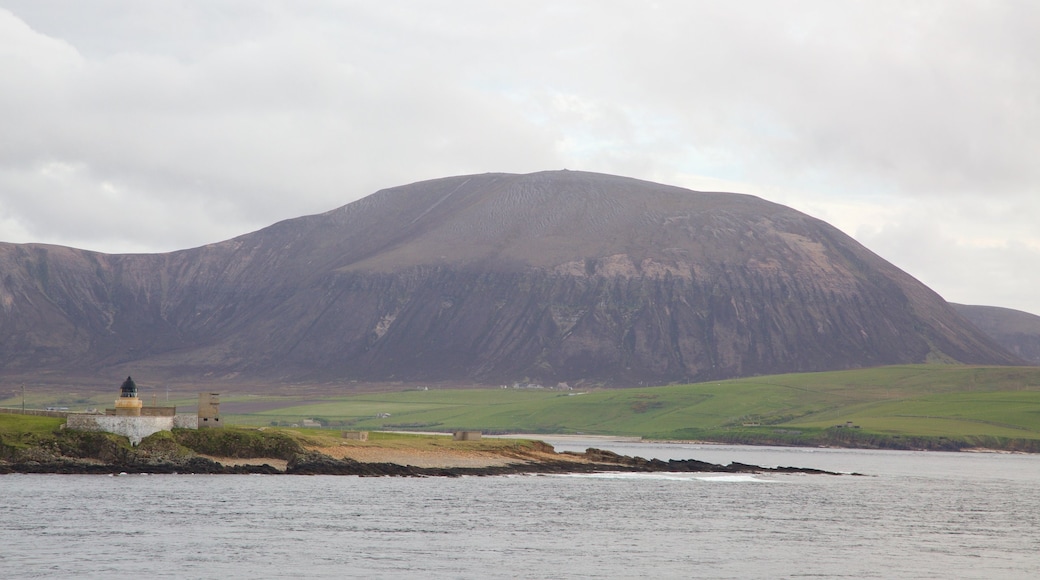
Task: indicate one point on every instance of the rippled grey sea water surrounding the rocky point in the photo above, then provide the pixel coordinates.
(904, 515)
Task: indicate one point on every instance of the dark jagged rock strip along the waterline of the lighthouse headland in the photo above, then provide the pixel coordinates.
(593, 461)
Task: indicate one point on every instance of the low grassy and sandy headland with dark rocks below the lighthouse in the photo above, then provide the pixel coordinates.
(255, 452)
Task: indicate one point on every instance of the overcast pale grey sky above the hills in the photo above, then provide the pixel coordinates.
(913, 126)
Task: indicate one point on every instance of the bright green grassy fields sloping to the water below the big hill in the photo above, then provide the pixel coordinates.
(928, 404)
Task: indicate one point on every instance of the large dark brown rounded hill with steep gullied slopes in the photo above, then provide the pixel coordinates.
(550, 277)
